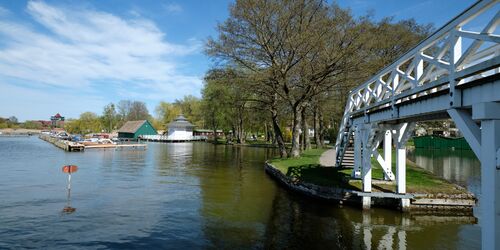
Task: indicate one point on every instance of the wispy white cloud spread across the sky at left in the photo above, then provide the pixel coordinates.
(85, 49)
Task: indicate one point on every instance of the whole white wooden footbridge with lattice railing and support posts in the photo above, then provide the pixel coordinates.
(453, 73)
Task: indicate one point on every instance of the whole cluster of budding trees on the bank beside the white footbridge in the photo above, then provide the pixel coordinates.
(290, 64)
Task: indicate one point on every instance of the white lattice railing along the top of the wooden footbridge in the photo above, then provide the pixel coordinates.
(442, 61)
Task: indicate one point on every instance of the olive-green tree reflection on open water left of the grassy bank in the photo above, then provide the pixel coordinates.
(236, 197)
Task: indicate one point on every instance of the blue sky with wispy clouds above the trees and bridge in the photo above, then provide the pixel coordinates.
(76, 56)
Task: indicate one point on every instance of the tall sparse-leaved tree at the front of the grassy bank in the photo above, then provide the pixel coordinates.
(300, 45)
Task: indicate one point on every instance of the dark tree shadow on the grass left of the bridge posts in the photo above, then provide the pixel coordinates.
(321, 176)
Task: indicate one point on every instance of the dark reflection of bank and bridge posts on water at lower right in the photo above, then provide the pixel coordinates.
(295, 224)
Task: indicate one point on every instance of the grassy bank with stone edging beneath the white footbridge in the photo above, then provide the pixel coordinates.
(307, 169)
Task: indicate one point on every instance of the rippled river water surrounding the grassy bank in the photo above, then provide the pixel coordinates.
(196, 196)
